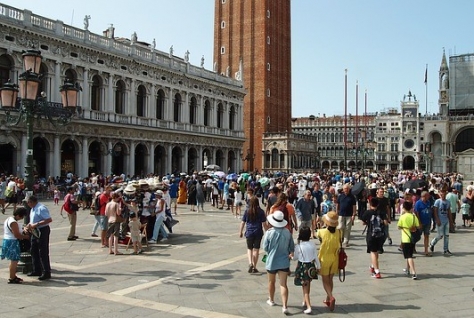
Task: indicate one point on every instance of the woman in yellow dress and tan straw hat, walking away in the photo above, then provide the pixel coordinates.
(329, 255)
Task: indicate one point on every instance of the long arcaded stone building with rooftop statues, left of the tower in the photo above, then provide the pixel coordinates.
(143, 110)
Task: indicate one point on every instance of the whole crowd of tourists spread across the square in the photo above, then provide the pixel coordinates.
(272, 209)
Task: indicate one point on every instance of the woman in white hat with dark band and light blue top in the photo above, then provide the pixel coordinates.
(279, 245)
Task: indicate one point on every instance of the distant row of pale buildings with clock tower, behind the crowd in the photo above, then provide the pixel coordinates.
(402, 138)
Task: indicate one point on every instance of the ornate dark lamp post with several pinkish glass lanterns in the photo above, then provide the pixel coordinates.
(28, 105)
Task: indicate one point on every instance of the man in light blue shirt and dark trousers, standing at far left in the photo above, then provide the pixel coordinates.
(40, 220)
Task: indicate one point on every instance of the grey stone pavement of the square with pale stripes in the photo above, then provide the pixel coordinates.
(201, 271)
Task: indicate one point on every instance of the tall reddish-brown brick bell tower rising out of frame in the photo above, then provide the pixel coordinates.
(255, 37)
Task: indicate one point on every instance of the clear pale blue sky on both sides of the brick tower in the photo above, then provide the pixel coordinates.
(384, 45)
